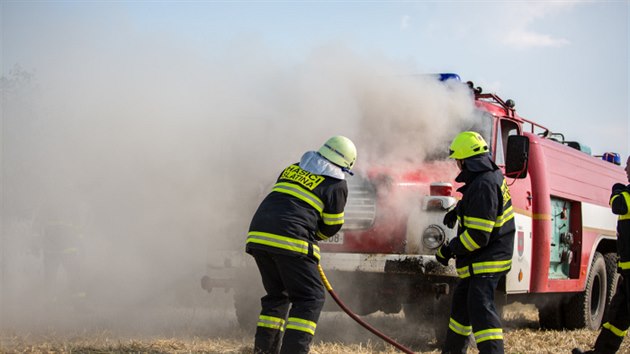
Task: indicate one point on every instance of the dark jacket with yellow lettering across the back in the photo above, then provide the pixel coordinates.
(301, 209)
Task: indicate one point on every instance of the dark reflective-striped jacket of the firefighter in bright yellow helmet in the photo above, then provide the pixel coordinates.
(485, 240)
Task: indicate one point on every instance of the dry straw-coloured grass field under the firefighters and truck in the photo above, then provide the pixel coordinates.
(337, 334)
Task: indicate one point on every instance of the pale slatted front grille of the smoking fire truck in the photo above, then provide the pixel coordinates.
(360, 210)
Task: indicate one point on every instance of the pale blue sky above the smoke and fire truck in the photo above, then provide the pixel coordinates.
(565, 63)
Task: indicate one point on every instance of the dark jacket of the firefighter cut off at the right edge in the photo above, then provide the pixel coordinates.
(620, 204)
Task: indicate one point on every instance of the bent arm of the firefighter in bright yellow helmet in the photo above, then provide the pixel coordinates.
(478, 220)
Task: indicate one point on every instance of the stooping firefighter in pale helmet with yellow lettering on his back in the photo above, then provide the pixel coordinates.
(305, 205)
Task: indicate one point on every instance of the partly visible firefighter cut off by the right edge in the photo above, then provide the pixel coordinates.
(613, 331)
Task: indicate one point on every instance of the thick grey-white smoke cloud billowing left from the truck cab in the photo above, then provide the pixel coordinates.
(162, 152)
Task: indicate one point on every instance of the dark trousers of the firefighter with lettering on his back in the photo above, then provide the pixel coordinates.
(293, 285)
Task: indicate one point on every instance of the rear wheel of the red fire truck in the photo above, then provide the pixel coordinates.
(586, 309)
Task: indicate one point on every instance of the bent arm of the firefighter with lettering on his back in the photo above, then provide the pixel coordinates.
(333, 214)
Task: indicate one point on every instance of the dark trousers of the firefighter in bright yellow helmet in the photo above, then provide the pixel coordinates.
(473, 312)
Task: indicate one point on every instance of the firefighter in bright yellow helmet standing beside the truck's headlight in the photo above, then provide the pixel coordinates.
(483, 247)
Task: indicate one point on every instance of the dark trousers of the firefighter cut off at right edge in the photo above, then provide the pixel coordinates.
(614, 330)
